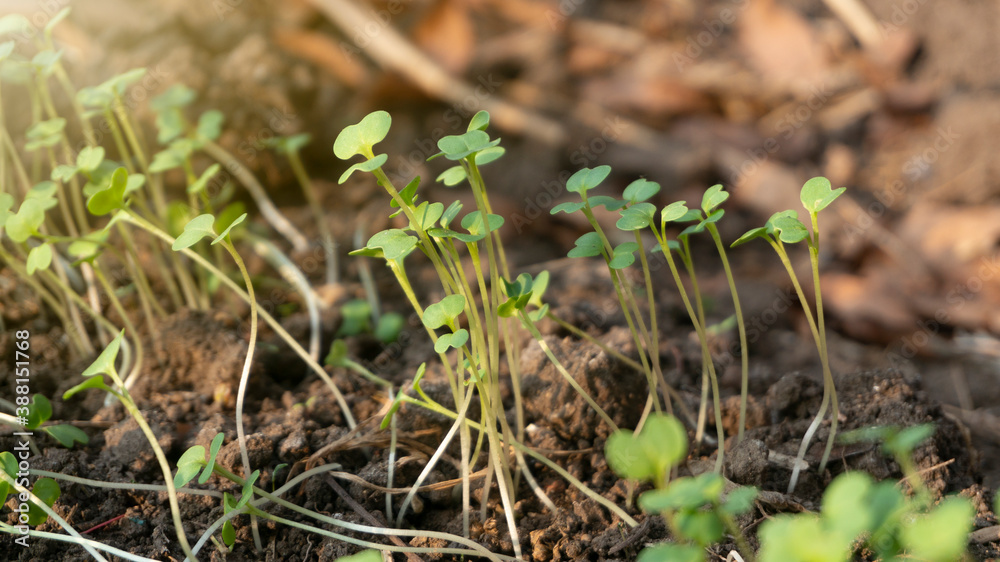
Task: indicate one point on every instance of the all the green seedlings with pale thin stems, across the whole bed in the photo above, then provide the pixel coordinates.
(70, 214)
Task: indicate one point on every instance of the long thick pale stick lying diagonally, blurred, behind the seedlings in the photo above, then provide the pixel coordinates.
(394, 52)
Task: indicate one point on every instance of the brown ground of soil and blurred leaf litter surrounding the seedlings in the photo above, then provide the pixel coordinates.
(880, 283)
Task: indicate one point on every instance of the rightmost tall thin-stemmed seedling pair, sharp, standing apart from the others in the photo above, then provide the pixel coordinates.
(785, 228)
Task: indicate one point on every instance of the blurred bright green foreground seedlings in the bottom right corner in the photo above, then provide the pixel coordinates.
(860, 513)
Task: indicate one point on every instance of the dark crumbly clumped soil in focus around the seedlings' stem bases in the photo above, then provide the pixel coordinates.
(293, 420)
